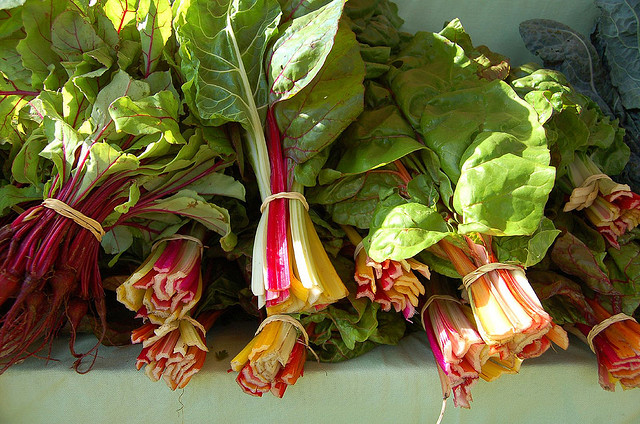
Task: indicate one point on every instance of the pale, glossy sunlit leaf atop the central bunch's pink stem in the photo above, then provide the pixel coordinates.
(300, 51)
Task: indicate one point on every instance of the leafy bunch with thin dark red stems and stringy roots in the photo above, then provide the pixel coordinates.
(103, 140)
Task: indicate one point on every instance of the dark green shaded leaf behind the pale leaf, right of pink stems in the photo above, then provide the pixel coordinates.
(313, 119)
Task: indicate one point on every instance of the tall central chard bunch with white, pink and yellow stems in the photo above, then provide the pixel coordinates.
(293, 73)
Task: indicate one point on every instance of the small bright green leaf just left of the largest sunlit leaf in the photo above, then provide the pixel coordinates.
(400, 230)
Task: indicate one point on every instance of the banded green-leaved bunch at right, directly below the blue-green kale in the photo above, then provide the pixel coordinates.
(587, 147)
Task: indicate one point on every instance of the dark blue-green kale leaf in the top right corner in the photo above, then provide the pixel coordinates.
(618, 32)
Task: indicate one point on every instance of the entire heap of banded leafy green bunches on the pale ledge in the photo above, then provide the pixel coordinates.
(310, 166)
